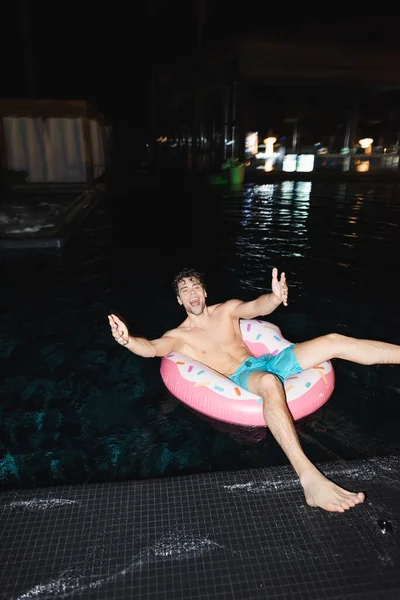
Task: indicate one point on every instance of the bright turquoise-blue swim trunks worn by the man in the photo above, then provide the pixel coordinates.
(283, 365)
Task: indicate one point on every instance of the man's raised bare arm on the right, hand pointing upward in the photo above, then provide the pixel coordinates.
(265, 304)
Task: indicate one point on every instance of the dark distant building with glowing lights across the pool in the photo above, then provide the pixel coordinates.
(316, 99)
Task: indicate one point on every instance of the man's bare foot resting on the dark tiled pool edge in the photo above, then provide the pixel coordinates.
(320, 491)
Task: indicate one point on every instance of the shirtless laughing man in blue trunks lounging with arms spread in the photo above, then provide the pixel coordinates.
(212, 335)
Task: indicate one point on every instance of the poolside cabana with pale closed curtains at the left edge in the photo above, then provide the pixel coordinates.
(53, 141)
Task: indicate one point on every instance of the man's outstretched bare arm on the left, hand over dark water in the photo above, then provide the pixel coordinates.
(141, 346)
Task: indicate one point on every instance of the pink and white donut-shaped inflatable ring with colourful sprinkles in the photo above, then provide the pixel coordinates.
(209, 392)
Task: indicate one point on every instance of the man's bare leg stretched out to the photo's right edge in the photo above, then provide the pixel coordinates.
(364, 352)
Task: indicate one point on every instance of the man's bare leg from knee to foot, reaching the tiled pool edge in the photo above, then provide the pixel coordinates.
(318, 490)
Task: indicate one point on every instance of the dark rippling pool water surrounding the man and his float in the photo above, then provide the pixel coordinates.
(77, 407)
